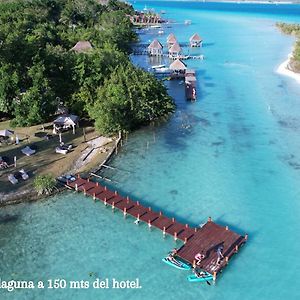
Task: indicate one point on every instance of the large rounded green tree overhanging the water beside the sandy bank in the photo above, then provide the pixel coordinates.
(129, 98)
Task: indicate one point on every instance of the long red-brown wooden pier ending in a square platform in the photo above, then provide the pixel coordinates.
(206, 239)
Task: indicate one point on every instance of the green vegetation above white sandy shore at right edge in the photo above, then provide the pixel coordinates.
(293, 29)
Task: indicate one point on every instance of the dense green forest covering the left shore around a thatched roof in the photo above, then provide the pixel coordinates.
(38, 71)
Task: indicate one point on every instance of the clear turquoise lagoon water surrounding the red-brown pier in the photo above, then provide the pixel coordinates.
(232, 155)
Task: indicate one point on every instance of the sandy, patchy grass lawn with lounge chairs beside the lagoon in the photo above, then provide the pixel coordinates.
(45, 160)
